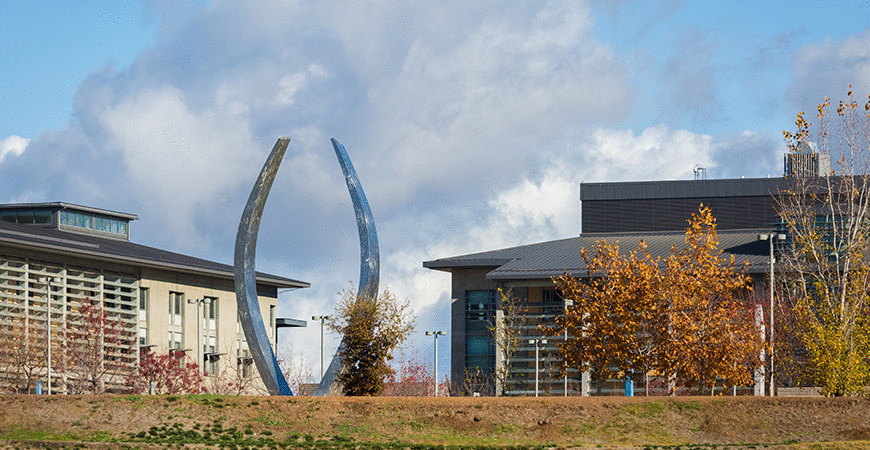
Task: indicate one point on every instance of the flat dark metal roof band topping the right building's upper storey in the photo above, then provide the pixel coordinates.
(739, 187)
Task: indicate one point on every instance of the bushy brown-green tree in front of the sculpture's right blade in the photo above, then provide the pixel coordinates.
(372, 328)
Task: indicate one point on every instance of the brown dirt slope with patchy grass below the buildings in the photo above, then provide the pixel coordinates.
(557, 421)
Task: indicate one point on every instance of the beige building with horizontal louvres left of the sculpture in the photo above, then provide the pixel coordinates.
(55, 258)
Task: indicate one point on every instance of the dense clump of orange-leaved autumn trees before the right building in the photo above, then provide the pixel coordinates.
(682, 317)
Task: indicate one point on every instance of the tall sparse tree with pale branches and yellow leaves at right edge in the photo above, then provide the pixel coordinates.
(825, 261)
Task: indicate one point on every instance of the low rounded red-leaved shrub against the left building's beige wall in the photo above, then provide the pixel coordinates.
(170, 373)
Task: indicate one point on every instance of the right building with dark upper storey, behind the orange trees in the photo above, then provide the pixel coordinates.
(624, 213)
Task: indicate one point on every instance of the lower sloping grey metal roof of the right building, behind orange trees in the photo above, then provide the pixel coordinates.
(552, 258)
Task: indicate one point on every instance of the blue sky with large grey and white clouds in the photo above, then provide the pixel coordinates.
(471, 124)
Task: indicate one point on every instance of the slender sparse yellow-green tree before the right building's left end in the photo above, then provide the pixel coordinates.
(507, 334)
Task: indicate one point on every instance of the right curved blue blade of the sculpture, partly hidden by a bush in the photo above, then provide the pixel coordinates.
(369, 270)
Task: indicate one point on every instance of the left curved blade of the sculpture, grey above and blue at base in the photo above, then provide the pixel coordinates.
(245, 276)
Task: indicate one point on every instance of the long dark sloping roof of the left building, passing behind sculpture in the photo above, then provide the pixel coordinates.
(106, 249)
